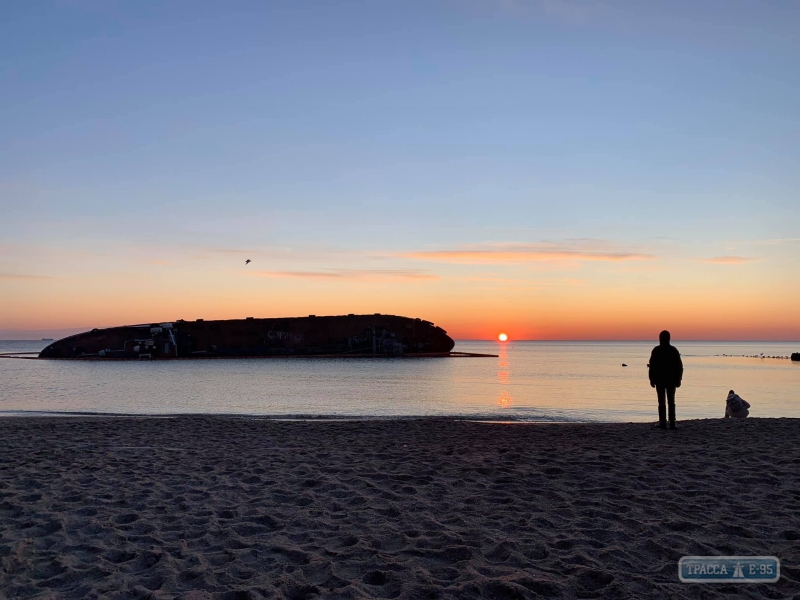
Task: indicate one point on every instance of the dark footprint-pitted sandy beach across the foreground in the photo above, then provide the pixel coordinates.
(217, 507)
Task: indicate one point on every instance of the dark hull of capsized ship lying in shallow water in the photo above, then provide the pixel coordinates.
(350, 335)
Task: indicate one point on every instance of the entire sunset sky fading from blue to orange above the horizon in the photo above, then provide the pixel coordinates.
(553, 169)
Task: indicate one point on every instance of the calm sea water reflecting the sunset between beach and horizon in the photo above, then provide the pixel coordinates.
(531, 381)
